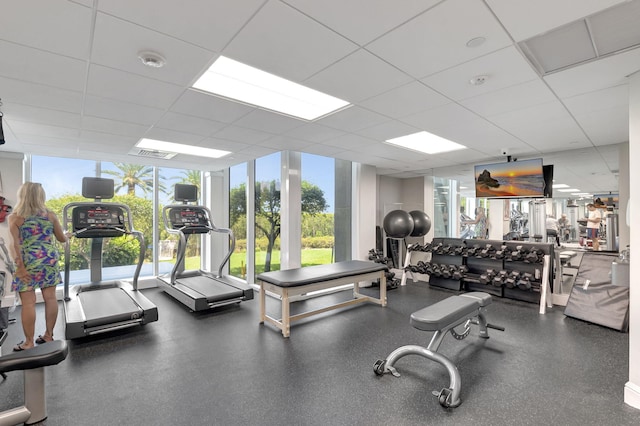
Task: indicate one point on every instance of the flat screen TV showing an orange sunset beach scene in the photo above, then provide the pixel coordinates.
(514, 179)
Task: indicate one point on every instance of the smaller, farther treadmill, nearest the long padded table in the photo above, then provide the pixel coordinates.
(198, 289)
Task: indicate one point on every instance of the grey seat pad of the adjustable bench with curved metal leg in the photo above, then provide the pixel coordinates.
(448, 311)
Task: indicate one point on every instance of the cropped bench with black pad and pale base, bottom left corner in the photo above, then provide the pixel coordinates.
(32, 361)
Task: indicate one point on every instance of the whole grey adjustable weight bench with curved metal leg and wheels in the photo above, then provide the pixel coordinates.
(441, 317)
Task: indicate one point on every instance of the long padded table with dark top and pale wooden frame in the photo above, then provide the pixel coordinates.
(299, 281)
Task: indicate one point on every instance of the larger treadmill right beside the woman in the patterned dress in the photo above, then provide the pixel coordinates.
(102, 306)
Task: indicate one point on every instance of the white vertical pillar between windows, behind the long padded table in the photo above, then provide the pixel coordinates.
(290, 210)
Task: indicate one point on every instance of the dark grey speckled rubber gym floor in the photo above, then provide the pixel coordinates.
(221, 367)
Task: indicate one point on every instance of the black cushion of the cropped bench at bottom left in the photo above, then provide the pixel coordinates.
(50, 353)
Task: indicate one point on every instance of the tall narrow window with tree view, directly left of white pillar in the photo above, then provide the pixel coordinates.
(267, 213)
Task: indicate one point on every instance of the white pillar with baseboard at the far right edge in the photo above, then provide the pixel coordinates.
(632, 387)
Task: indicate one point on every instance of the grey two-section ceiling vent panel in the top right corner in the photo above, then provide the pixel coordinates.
(611, 31)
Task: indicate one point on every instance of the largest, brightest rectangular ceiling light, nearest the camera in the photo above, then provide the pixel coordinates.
(243, 83)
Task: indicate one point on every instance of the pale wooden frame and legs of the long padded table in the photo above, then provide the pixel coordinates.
(286, 293)
